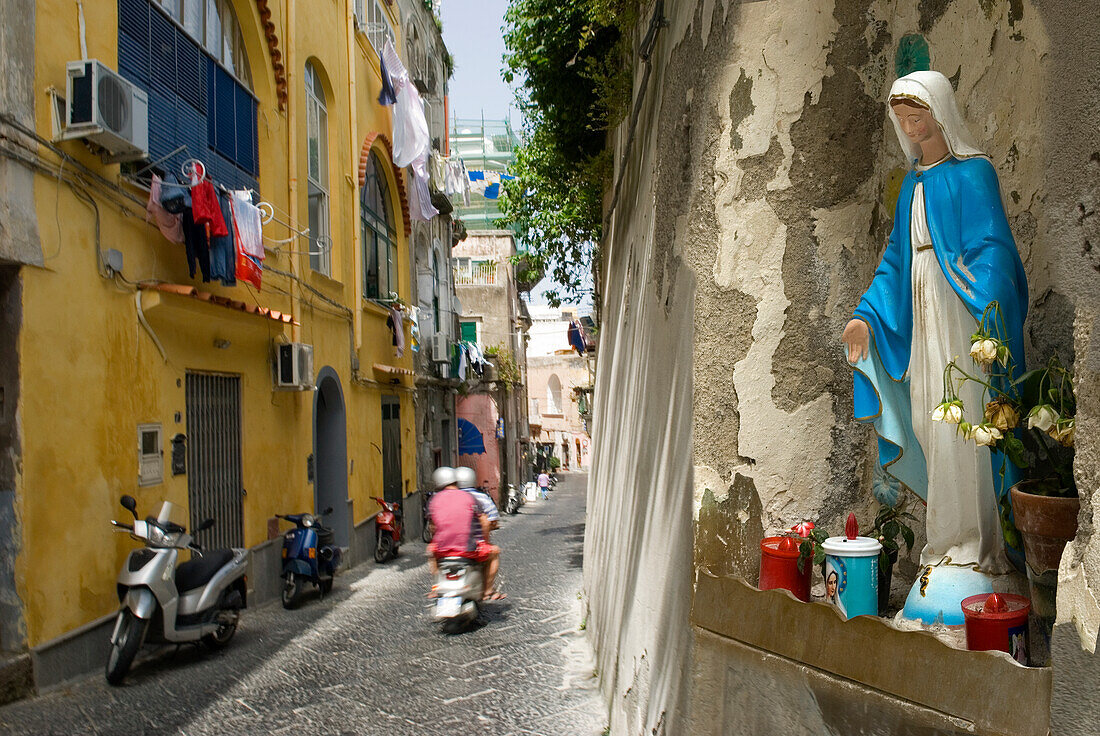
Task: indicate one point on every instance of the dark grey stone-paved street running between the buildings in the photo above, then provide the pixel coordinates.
(369, 660)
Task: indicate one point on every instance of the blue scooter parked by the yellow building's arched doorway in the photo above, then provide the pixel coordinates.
(310, 555)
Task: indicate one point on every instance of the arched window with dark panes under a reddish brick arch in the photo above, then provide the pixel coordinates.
(379, 234)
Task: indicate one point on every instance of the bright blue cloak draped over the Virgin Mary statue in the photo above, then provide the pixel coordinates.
(978, 257)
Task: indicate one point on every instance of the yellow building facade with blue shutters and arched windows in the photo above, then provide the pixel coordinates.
(123, 359)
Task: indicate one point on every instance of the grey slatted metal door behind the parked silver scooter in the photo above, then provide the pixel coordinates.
(215, 486)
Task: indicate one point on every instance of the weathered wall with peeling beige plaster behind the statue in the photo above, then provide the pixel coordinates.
(754, 210)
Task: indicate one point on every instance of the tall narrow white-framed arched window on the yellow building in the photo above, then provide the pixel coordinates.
(317, 142)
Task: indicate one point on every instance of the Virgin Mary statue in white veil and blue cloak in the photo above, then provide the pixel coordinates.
(950, 256)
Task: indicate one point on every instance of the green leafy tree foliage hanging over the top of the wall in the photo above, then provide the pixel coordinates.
(574, 60)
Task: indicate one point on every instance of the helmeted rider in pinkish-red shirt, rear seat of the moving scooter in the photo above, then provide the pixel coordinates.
(459, 529)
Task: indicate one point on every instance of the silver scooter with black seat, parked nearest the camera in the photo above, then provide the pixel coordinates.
(199, 601)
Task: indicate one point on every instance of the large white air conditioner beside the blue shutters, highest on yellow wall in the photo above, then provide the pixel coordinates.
(108, 111)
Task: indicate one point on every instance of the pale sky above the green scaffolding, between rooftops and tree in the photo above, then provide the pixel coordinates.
(472, 35)
